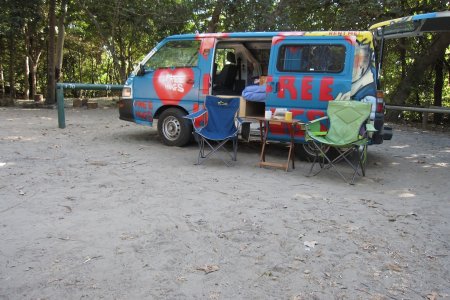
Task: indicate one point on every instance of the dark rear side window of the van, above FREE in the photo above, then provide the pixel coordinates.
(311, 58)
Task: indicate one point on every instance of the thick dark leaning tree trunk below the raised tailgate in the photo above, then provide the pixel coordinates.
(417, 69)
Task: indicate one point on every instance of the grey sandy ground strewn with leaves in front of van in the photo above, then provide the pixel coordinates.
(102, 209)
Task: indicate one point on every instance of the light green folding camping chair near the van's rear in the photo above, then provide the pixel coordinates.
(348, 133)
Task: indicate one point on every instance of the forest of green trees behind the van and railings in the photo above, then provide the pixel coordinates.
(100, 41)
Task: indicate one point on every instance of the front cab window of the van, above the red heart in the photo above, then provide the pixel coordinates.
(175, 54)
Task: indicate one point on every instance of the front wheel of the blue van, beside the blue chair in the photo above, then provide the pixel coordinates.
(173, 129)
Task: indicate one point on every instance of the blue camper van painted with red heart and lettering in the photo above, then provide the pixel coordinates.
(302, 72)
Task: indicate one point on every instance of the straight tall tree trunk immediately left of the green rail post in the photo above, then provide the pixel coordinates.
(51, 83)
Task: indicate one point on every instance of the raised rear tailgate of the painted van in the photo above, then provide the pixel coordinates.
(412, 25)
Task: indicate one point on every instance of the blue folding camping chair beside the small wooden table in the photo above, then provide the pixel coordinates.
(220, 118)
